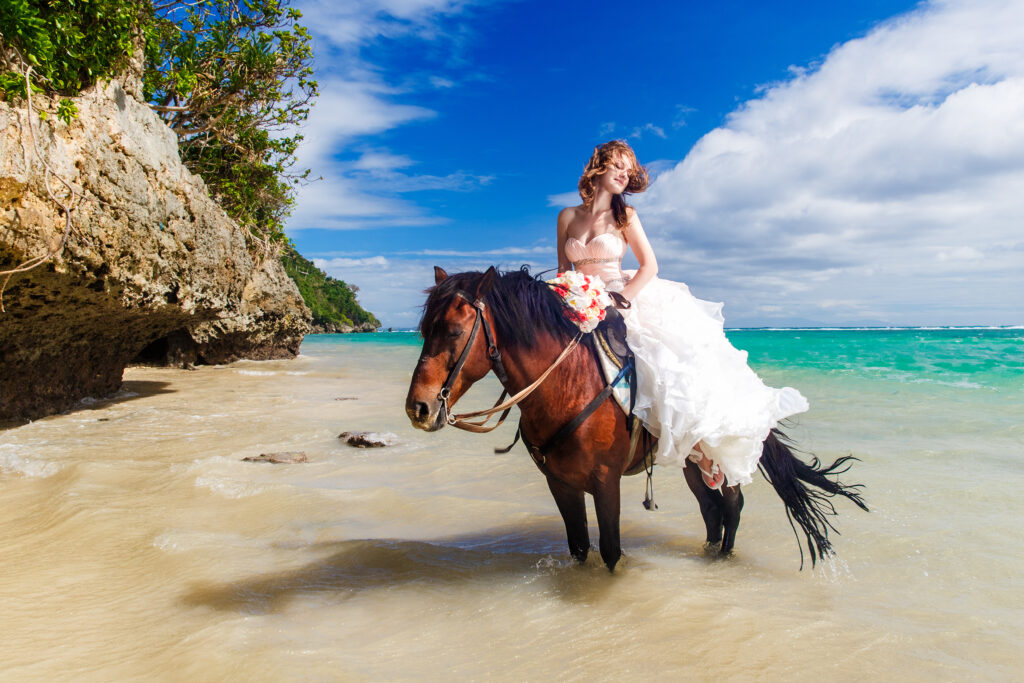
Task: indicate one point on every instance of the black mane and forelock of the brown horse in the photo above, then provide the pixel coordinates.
(521, 305)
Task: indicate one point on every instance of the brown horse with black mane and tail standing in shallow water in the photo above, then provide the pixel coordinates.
(526, 330)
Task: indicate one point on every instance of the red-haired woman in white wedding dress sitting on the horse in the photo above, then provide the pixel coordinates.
(696, 392)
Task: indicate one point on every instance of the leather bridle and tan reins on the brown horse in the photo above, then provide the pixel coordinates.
(461, 421)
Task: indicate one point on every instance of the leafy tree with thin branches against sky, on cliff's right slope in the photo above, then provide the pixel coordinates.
(234, 79)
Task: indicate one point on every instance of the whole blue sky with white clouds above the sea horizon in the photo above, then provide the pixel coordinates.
(815, 164)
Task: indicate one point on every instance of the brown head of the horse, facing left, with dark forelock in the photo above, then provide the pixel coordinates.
(454, 355)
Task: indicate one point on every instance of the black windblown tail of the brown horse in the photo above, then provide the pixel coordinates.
(810, 509)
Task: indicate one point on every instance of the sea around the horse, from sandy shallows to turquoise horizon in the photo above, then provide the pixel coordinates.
(138, 544)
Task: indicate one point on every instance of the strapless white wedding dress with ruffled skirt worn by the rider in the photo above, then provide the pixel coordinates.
(694, 386)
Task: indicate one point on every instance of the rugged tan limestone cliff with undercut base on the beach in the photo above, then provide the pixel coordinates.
(154, 270)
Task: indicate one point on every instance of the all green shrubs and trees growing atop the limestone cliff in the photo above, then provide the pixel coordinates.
(233, 78)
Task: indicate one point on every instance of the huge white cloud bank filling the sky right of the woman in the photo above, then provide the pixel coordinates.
(883, 175)
